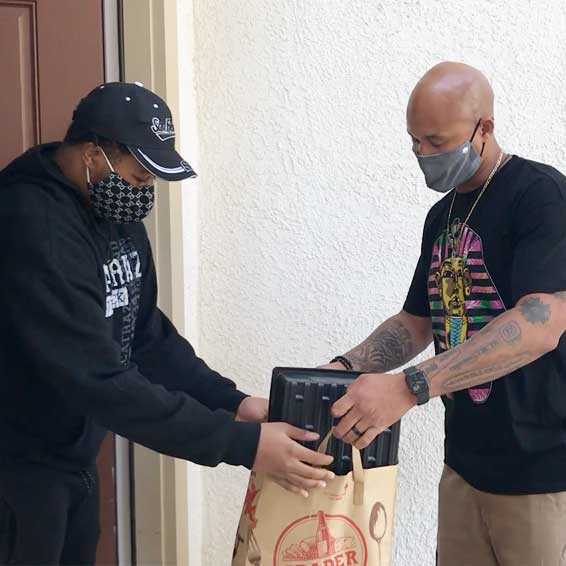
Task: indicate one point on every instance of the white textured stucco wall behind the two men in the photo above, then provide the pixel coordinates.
(312, 204)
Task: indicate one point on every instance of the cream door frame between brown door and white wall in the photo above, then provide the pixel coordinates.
(159, 484)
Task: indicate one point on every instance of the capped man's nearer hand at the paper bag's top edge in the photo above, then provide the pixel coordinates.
(287, 462)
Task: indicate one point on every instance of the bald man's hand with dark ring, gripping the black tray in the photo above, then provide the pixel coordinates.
(372, 403)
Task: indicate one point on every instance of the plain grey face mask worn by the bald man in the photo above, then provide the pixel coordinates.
(444, 171)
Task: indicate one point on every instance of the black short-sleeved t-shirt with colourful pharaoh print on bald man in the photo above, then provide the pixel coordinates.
(506, 436)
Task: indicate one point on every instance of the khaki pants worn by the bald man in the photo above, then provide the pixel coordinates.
(482, 529)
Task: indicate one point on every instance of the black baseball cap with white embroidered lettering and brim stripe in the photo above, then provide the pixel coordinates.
(134, 116)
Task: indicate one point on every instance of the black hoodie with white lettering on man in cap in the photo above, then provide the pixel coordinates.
(84, 348)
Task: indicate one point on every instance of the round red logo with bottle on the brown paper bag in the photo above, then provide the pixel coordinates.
(310, 542)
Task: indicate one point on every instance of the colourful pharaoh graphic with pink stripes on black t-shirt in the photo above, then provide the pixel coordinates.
(462, 295)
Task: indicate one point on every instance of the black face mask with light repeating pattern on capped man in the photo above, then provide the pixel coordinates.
(118, 201)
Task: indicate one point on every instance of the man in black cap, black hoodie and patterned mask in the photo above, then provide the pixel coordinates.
(85, 349)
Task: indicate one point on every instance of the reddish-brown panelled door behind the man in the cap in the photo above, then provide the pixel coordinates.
(51, 54)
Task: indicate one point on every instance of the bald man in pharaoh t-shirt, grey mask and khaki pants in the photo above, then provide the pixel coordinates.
(490, 291)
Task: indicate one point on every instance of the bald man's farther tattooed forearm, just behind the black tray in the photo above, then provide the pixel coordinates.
(388, 347)
